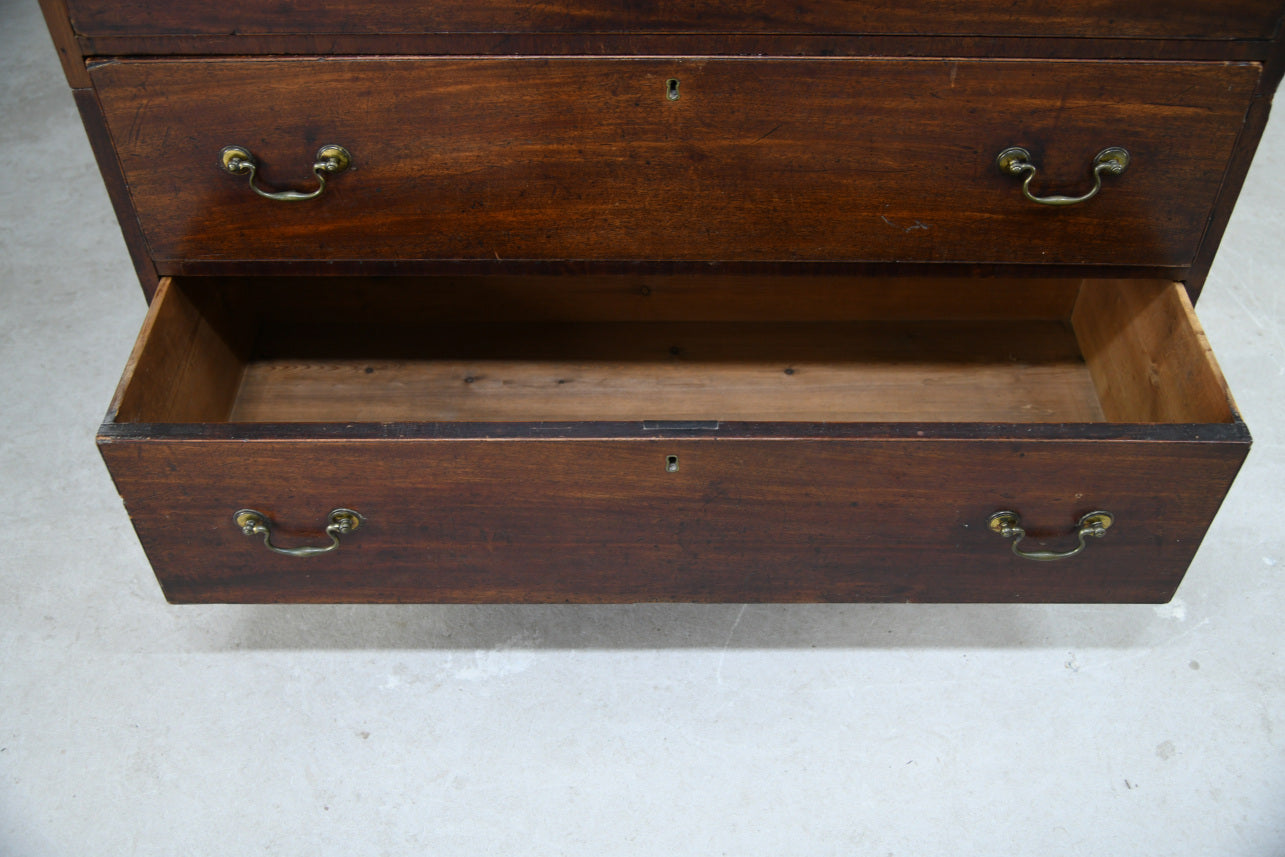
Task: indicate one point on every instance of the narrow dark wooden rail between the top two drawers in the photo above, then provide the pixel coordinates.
(626, 44)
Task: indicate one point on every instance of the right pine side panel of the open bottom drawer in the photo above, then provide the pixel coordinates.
(1148, 354)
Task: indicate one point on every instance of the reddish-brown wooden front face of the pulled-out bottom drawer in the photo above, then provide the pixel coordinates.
(611, 521)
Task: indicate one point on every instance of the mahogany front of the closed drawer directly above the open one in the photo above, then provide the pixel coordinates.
(751, 160)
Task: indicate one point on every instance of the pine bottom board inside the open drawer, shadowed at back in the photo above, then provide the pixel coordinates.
(817, 372)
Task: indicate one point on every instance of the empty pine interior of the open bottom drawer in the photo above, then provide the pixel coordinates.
(731, 349)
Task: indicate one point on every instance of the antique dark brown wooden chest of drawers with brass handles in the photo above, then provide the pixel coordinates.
(713, 301)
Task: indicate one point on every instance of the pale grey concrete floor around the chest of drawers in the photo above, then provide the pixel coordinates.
(133, 728)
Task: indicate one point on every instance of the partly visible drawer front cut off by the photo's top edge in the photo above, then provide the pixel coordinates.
(1104, 19)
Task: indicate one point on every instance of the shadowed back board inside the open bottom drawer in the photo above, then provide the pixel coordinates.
(666, 297)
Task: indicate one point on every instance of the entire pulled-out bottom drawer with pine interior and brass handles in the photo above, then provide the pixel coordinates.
(679, 439)
